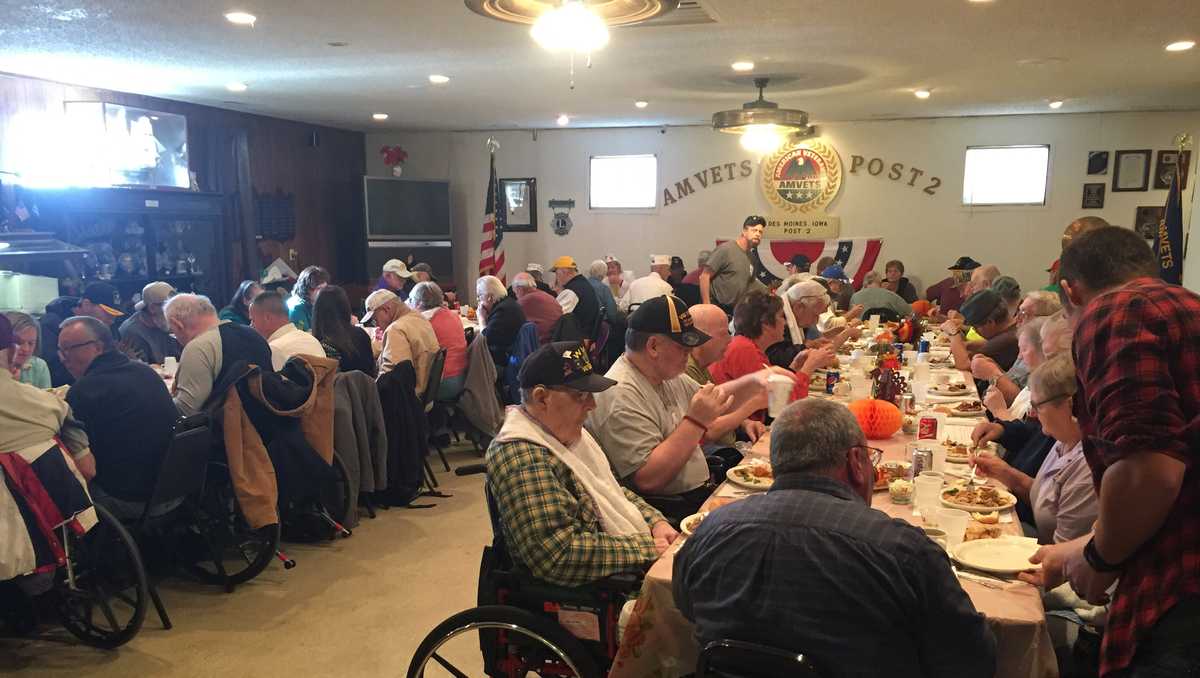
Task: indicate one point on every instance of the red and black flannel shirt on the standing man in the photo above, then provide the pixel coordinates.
(1138, 361)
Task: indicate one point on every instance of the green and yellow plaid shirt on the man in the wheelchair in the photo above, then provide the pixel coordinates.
(550, 523)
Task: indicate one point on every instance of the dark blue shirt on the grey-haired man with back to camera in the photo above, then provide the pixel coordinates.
(809, 568)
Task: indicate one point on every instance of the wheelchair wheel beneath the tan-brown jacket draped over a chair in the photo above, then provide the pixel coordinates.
(232, 553)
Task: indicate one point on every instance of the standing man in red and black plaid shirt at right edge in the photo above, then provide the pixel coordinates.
(1138, 355)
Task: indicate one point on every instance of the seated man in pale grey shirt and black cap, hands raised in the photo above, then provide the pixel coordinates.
(653, 423)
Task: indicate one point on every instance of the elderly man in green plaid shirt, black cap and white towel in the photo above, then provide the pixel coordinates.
(562, 511)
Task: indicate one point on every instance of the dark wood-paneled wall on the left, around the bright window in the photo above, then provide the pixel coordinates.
(327, 179)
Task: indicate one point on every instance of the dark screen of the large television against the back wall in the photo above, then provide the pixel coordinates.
(405, 209)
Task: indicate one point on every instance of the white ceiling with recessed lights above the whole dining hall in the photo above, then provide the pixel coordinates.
(843, 59)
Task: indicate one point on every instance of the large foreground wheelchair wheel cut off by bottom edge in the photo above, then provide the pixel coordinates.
(524, 644)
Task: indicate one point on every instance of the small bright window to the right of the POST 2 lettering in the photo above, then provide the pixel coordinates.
(1006, 176)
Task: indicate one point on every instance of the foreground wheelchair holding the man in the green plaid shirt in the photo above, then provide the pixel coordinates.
(519, 622)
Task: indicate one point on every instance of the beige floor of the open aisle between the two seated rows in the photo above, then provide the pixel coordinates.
(350, 608)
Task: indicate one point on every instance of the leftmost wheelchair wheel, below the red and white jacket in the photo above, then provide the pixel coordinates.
(103, 593)
